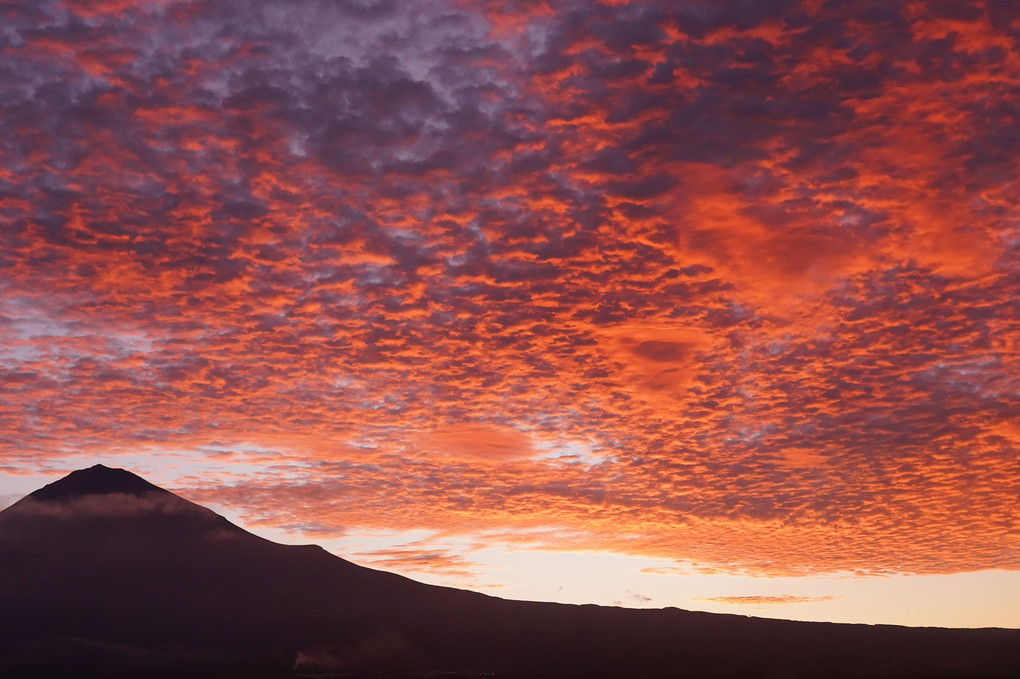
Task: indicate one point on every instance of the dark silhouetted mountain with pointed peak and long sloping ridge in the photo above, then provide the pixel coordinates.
(104, 574)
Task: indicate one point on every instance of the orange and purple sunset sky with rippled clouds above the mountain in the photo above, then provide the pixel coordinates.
(685, 303)
